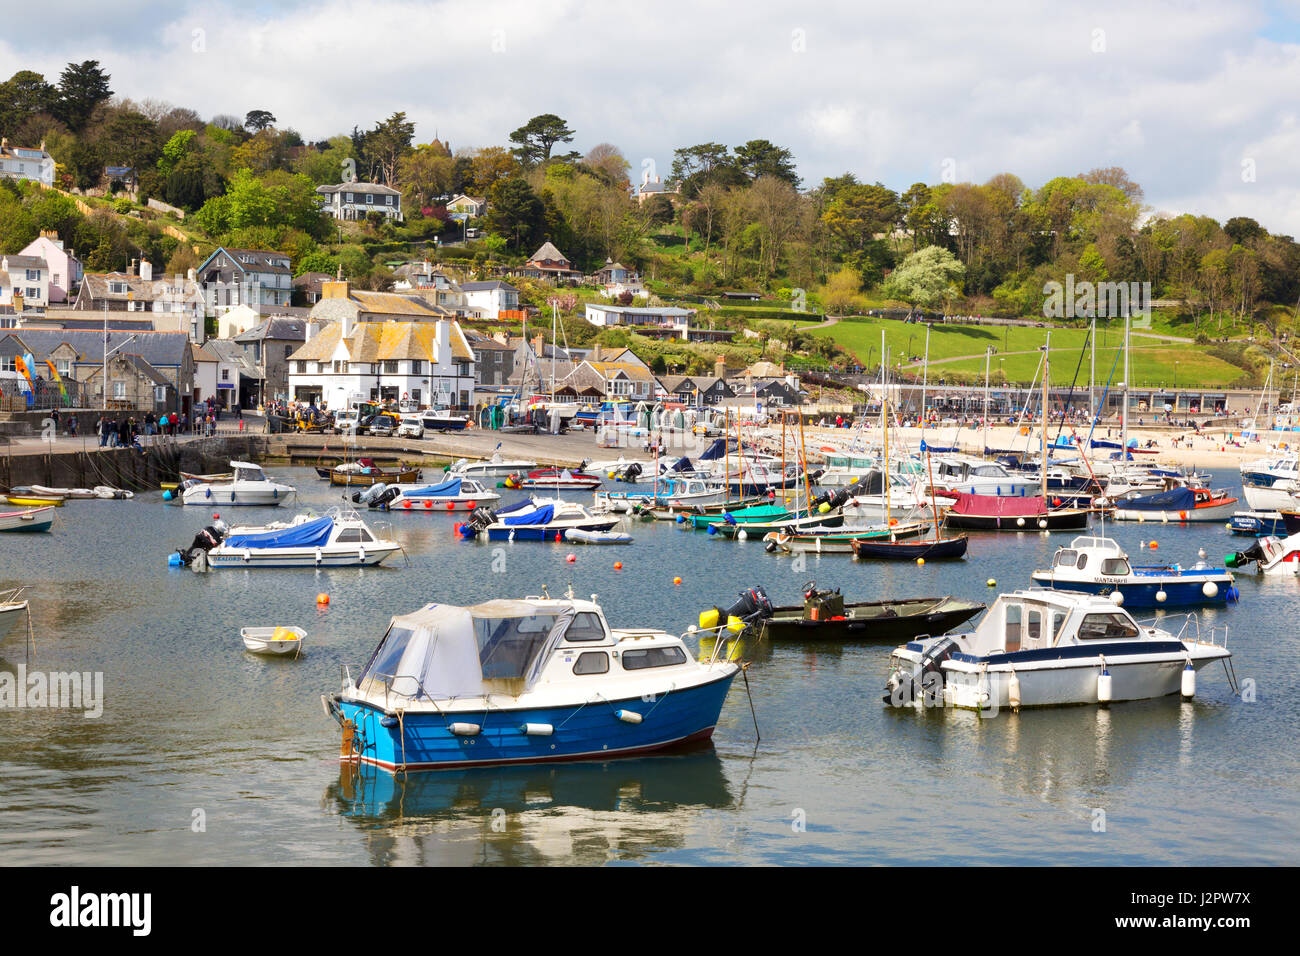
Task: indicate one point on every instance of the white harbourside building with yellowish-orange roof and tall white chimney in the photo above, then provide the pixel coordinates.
(430, 365)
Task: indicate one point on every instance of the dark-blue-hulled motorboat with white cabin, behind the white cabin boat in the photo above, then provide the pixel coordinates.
(1099, 566)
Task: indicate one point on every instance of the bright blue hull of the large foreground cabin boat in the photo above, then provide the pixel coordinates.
(580, 732)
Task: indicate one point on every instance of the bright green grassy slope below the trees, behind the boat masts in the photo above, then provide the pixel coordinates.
(959, 351)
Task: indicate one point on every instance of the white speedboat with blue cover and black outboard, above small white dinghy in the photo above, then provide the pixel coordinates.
(337, 539)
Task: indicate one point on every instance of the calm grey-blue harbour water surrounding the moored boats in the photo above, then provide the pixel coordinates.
(193, 724)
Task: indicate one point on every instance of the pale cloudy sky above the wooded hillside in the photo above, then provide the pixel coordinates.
(1197, 101)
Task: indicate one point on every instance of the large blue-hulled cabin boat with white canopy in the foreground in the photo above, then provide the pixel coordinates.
(526, 681)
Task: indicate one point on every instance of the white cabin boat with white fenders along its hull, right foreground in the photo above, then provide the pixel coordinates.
(1041, 648)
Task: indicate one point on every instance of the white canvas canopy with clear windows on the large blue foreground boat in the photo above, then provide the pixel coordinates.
(445, 652)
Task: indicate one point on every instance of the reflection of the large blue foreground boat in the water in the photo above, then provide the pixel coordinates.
(534, 815)
